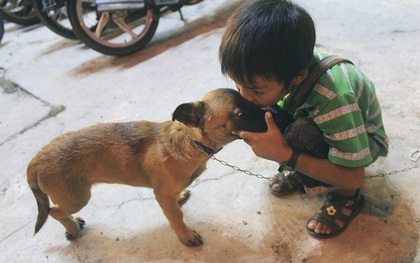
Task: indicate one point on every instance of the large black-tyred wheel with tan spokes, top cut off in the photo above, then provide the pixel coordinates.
(115, 32)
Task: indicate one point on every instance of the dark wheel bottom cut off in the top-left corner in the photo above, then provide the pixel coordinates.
(19, 12)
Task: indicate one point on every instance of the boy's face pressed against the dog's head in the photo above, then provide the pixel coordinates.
(264, 92)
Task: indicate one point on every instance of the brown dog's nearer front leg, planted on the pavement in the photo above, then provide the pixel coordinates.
(168, 201)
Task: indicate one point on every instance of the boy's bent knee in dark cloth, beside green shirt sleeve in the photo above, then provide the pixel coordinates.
(305, 136)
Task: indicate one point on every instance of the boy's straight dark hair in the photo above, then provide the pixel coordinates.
(268, 38)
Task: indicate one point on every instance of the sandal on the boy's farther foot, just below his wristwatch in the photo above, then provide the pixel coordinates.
(288, 182)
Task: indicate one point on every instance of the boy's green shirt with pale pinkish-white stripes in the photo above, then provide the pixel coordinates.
(344, 105)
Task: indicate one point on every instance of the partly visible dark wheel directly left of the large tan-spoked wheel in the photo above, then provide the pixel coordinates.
(53, 14)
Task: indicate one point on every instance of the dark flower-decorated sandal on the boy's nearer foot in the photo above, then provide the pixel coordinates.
(337, 213)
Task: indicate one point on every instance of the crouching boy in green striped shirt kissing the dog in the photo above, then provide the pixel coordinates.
(267, 50)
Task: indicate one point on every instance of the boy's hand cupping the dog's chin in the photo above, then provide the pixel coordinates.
(269, 145)
